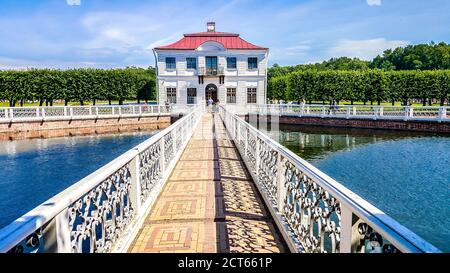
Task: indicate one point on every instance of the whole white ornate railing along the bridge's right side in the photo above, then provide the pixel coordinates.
(314, 212)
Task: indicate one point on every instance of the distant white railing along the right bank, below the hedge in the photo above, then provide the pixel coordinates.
(424, 113)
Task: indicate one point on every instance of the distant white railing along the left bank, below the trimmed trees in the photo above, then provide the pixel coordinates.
(8, 114)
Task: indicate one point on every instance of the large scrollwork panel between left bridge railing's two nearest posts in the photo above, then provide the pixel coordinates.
(99, 217)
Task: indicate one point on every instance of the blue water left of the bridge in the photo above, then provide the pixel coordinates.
(32, 171)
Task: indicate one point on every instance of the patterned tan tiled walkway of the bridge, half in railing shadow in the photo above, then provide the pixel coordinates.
(210, 203)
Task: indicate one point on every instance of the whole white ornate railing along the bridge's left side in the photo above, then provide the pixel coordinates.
(101, 213)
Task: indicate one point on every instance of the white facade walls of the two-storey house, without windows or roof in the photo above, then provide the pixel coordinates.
(241, 78)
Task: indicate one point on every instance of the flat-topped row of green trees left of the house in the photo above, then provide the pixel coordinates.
(77, 85)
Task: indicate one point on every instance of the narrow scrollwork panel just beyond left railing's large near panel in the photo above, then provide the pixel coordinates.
(149, 169)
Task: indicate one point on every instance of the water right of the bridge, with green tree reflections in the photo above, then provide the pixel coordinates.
(406, 175)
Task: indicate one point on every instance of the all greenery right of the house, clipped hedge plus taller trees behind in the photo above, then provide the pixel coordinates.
(415, 72)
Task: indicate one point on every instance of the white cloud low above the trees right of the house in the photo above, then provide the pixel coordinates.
(363, 49)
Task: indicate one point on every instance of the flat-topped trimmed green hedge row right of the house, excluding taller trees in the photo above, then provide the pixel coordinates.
(362, 85)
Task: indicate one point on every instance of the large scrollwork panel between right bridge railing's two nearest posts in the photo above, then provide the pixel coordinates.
(311, 212)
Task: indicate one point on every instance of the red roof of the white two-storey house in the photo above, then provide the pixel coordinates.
(192, 41)
